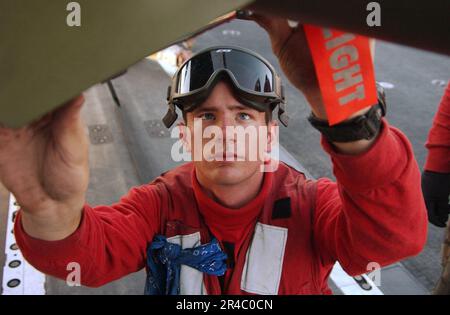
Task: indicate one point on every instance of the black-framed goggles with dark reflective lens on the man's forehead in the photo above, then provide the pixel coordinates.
(255, 82)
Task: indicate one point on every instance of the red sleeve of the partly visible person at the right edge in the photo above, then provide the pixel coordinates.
(438, 142)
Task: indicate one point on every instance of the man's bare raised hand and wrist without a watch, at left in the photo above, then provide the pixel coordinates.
(46, 166)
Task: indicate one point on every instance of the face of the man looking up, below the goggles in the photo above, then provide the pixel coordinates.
(227, 156)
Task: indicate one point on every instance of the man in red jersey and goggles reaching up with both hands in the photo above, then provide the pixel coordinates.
(279, 232)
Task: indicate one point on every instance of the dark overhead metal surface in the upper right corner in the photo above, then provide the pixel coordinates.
(421, 24)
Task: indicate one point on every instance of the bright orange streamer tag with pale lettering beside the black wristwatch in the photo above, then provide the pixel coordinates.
(344, 69)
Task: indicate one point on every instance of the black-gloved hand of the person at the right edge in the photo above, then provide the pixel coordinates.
(436, 191)
